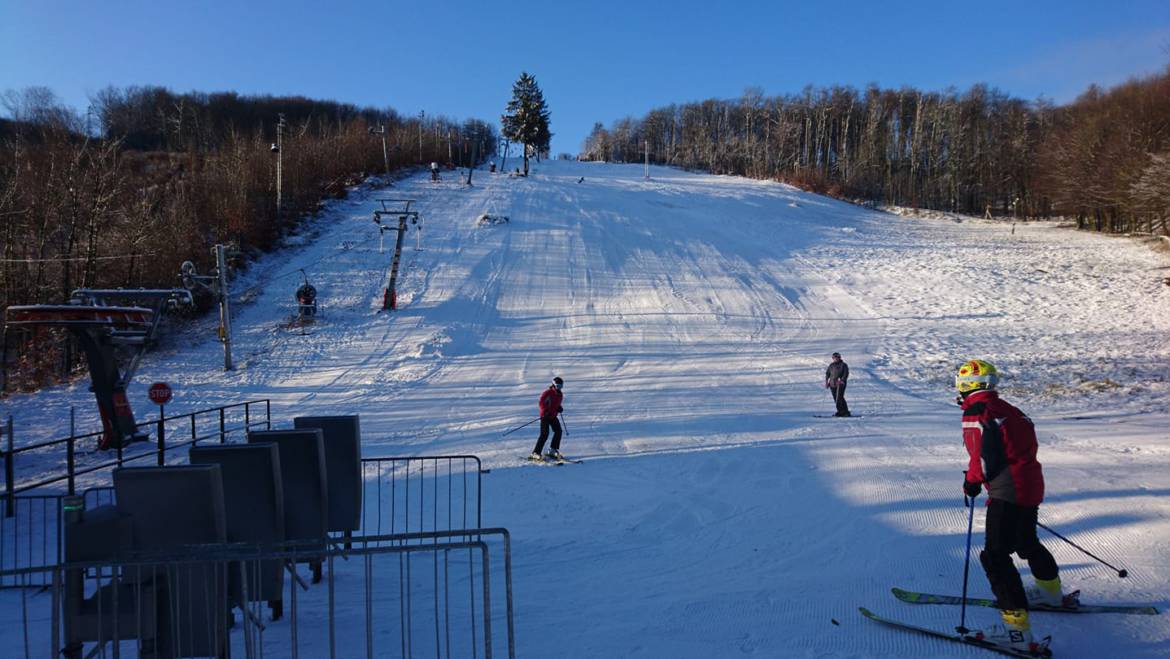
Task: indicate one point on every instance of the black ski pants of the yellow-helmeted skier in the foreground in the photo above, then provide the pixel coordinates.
(1011, 530)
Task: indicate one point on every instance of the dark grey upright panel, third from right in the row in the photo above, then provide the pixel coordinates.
(254, 502)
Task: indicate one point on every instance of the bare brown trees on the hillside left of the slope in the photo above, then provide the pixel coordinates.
(148, 179)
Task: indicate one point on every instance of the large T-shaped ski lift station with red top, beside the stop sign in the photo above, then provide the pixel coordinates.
(114, 328)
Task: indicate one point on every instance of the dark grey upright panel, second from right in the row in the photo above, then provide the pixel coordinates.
(302, 454)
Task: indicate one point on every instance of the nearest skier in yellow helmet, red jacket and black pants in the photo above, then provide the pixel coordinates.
(1002, 447)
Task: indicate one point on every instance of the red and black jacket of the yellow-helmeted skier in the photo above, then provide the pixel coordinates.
(1001, 442)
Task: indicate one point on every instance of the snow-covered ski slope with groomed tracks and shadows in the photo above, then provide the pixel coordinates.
(692, 318)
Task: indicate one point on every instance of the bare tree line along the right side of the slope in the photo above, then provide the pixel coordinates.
(1103, 160)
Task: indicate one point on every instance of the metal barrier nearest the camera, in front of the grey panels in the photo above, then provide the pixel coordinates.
(178, 605)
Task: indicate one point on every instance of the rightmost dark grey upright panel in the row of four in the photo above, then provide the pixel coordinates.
(343, 468)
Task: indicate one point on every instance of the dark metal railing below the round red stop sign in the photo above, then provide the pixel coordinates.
(215, 423)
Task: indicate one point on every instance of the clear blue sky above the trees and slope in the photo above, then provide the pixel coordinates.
(596, 60)
